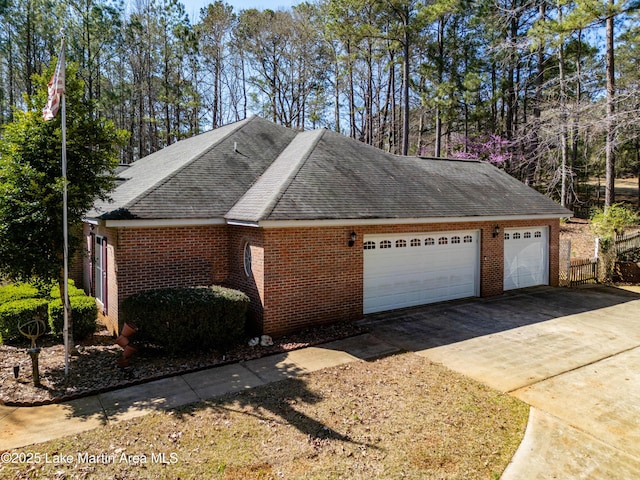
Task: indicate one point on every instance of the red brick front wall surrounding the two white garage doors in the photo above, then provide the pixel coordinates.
(312, 277)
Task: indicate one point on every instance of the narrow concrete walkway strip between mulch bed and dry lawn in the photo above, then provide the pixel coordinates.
(22, 426)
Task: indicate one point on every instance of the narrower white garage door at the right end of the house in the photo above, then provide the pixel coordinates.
(526, 257)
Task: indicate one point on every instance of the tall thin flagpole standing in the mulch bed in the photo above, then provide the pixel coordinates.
(65, 227)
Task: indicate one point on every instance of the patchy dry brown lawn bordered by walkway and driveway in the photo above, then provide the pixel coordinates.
(397, 417)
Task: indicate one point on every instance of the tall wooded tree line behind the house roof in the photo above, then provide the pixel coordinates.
(548, 90)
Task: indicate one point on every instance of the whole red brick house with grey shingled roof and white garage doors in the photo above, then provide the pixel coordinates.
(316, 227)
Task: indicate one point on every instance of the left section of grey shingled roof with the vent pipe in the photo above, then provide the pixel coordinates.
(197, 178)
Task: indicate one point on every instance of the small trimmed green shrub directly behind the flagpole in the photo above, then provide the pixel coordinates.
(84, 315)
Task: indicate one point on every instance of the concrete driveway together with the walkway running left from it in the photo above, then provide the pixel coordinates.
(572, 354)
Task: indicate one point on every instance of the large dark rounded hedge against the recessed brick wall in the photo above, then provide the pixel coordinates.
(187, 319)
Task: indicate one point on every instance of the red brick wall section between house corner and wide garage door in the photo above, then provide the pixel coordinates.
(311, 277)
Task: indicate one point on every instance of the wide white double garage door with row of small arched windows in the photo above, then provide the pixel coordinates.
(415, 269)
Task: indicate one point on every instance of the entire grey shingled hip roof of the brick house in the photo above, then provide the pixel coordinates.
(255, 171)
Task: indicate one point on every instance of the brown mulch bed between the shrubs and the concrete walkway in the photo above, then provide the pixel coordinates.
(95, 368)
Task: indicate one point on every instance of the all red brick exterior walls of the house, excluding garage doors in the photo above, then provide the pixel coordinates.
(300, 276)
